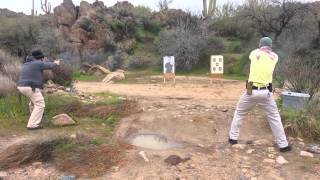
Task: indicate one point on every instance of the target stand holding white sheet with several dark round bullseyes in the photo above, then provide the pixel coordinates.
(216, 69)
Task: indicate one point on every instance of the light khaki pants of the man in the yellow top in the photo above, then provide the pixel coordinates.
(262, 98)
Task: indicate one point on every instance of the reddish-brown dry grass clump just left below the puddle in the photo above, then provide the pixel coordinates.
(88, 162)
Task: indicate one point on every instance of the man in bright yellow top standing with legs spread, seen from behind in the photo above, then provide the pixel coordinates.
(259, 92)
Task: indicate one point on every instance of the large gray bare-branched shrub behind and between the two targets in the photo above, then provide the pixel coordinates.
(186, 42)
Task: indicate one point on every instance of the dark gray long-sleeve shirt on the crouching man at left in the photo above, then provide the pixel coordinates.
(32, 72)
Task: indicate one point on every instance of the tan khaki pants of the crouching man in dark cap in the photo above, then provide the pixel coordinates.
(36, 105)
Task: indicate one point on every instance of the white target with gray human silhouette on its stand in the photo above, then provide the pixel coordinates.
(169, 69)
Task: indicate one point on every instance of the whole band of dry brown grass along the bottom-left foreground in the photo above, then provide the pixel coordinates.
(78, 157)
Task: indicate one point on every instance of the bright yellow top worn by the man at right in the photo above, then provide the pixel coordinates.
(263, 62)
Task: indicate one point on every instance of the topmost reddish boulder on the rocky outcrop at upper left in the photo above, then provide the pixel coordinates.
(66, 13)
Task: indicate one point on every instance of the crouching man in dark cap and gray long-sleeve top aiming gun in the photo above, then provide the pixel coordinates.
(30, 83)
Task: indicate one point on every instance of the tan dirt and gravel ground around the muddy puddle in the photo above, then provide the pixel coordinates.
(196, 114)
